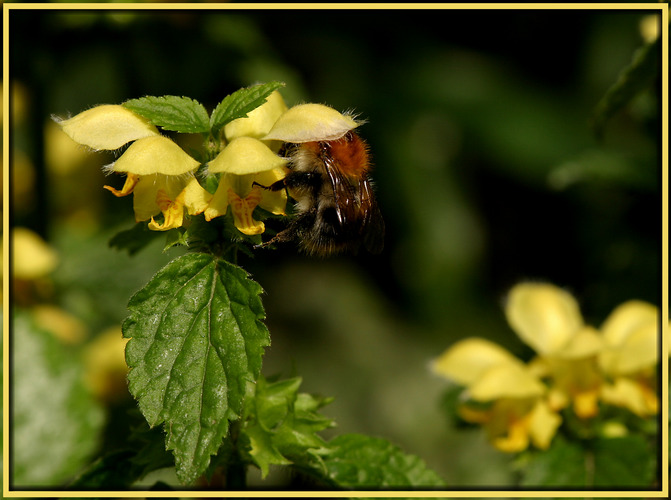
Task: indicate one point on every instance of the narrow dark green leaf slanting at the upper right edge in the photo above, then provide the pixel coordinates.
(637, 76)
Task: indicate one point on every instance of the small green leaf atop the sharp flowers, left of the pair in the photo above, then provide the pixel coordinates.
(180, 114)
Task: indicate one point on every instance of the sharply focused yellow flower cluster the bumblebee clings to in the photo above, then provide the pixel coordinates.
(161, 175)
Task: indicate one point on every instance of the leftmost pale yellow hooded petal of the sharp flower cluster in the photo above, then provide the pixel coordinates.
(107, 127)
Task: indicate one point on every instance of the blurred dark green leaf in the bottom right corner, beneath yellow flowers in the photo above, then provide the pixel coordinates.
(624, 462)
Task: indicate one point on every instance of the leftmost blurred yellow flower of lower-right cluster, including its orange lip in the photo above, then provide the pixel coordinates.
(515, 413)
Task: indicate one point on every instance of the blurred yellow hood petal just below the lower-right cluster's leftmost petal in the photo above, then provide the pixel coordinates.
(505, 381)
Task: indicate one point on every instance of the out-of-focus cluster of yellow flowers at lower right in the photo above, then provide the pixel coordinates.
(577, 366)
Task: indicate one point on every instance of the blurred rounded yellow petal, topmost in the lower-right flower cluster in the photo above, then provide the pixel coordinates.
(543, 315)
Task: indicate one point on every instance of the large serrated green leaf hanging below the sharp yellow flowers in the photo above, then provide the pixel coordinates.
(197, 338)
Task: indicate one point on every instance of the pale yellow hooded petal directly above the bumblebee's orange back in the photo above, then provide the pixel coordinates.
(311, 122)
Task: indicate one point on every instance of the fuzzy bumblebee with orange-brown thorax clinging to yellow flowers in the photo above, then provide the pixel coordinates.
(336, 208)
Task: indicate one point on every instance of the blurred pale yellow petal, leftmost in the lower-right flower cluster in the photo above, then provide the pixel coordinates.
(468, 359)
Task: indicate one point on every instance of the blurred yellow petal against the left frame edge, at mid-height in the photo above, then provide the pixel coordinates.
(32, 257)
